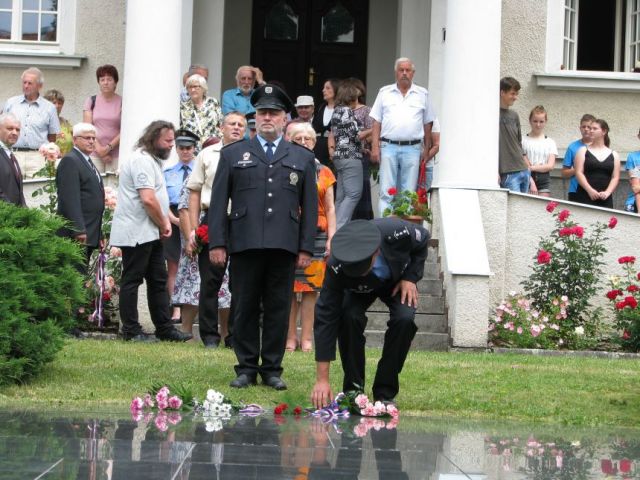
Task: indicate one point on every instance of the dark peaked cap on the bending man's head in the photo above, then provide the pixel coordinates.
(354, 245)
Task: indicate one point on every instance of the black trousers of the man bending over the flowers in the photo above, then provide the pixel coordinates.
(401, 328)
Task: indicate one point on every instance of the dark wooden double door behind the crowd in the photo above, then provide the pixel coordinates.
(301, 43)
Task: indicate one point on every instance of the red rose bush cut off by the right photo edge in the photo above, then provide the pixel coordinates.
(625, 296)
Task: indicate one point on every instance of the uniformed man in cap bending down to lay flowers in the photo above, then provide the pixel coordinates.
(381, 258)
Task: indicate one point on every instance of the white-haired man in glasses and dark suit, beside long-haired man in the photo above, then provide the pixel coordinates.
(81, 192)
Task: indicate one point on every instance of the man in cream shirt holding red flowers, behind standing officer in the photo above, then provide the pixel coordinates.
(211, 277)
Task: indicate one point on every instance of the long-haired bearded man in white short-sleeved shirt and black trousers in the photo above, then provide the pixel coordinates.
(140, 222)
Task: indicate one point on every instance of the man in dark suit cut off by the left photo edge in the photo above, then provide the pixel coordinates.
(10, 173)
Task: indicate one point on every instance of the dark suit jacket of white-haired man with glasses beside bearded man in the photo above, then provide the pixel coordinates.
(80, 197)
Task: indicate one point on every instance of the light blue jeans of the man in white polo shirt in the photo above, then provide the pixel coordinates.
(399, 168)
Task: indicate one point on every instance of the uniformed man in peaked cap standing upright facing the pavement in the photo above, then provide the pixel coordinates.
(270, 230)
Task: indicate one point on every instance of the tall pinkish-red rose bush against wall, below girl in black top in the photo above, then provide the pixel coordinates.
(569, 262)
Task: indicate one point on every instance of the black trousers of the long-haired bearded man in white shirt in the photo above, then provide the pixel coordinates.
(144, 262)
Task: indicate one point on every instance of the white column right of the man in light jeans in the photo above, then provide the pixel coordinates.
(470, 96)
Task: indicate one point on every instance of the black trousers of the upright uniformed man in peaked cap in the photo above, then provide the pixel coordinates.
(261, 276)
